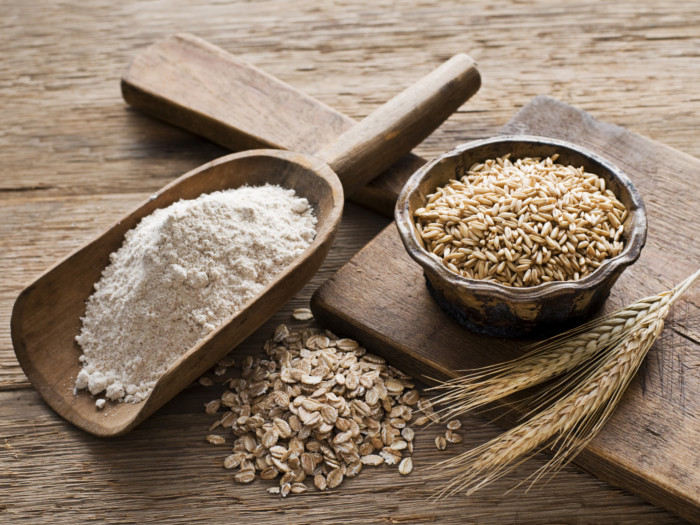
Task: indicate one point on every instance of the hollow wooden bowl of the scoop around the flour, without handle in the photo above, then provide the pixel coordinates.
(45, 342)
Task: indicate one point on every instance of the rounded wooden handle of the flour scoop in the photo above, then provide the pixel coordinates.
(394, 129)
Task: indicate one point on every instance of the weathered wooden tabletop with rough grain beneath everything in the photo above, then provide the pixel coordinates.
(74, 158)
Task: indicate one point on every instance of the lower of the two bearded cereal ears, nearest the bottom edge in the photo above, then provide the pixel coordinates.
(573, 412)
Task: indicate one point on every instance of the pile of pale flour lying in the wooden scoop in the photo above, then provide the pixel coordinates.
(179, 274)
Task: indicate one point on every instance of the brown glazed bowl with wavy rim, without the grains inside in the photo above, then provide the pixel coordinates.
(495, 309)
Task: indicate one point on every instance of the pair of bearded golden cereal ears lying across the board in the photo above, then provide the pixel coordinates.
(572, 411)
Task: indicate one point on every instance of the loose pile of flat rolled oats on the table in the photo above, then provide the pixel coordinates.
(315, 407)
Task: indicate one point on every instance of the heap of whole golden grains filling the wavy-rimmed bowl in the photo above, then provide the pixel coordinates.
(523, 223)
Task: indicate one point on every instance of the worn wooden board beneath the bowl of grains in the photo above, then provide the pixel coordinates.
(651, 445)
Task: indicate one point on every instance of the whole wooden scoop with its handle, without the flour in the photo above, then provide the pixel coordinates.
(46, 315)
